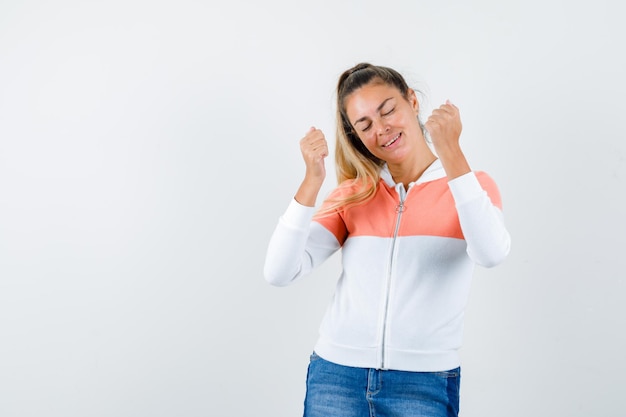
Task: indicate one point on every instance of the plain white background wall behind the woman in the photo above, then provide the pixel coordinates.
(147, 150)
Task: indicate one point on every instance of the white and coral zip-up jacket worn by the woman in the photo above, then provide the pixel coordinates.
(407, 258)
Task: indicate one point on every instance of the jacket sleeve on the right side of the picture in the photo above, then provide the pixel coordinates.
(479, 208)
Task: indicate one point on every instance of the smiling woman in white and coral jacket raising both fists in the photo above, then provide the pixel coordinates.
(411, 224)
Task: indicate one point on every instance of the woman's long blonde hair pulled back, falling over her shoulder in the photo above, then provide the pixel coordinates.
(355, 165)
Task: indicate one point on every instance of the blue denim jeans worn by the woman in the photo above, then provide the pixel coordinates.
(342, 391)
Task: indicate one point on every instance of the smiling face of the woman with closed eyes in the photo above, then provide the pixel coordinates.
(385, 121)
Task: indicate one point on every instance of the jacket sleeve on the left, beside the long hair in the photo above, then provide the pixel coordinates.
(297, 246)
